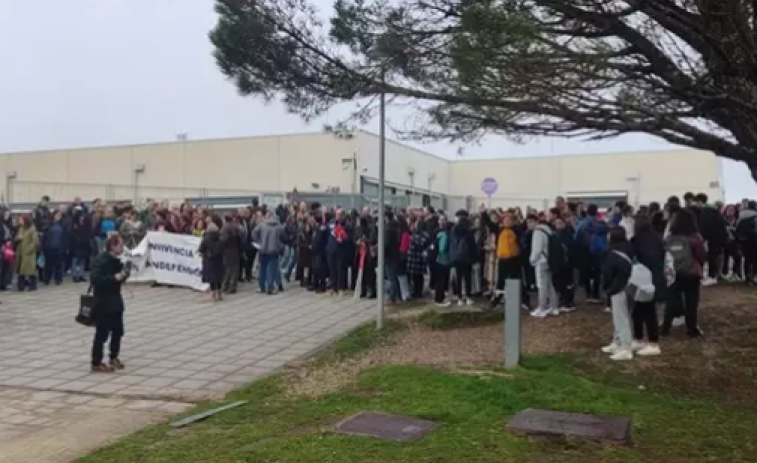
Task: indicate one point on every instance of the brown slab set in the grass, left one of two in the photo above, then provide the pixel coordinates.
(384, 426)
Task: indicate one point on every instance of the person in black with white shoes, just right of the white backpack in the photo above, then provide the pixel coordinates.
(650, 251)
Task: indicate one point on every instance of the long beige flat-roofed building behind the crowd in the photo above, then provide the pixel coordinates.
(321, 162)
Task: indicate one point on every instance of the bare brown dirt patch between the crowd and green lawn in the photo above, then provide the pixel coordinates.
(723, 363)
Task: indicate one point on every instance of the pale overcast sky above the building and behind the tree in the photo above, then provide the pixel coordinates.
(77, 73)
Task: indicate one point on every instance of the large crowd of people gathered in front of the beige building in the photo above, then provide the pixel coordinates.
(453, 258)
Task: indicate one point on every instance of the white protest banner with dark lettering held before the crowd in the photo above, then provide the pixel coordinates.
(167, 258)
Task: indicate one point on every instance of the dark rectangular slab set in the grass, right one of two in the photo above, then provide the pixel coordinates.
(533, 422)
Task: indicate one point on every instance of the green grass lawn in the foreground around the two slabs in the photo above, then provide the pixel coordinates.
(471, 410)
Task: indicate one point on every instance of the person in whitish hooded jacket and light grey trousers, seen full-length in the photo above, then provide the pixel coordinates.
(540, 260)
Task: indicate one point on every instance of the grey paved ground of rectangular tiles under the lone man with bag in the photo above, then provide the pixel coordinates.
(177, 349)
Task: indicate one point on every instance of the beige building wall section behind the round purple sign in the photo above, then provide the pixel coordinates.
(643, 177)
